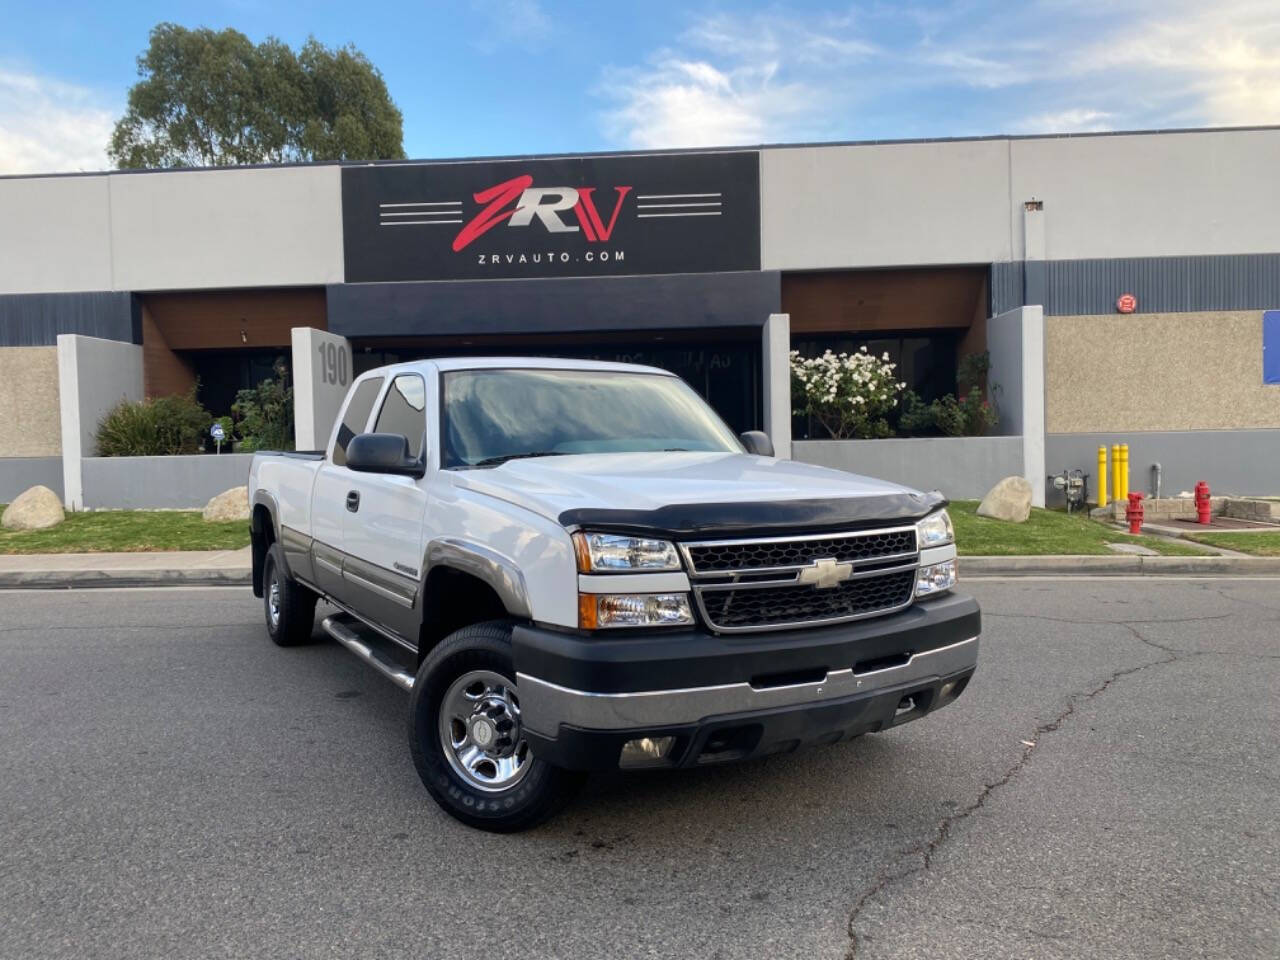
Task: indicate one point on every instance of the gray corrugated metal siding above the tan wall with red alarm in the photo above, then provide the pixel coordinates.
(1162, 285)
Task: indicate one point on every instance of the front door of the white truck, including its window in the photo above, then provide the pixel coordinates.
(383, 537)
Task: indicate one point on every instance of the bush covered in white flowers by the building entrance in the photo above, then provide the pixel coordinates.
(851, 395)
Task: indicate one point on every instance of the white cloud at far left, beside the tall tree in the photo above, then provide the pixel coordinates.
(48, 126)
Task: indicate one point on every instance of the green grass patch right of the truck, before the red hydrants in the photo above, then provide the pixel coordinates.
(1046, 533)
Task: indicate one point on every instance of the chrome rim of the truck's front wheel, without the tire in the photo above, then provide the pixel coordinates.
(481, 732)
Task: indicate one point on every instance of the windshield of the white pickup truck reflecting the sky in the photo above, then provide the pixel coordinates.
(497, 415)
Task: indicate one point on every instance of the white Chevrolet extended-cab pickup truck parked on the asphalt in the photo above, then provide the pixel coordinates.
(578, 566)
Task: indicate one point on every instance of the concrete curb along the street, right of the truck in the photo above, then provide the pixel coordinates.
(1119, 566)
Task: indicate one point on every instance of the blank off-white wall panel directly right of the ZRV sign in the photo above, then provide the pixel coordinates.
(883, 205)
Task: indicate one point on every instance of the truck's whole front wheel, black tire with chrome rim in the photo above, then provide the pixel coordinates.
(465, 692)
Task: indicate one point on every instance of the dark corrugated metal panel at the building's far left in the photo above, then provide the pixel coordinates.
(36, 319)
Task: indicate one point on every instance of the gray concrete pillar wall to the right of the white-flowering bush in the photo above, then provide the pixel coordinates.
(1016, 341)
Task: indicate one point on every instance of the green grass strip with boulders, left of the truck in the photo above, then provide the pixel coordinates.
(112, 531)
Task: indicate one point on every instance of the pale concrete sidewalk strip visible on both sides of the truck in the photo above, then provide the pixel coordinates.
(232, 569)
